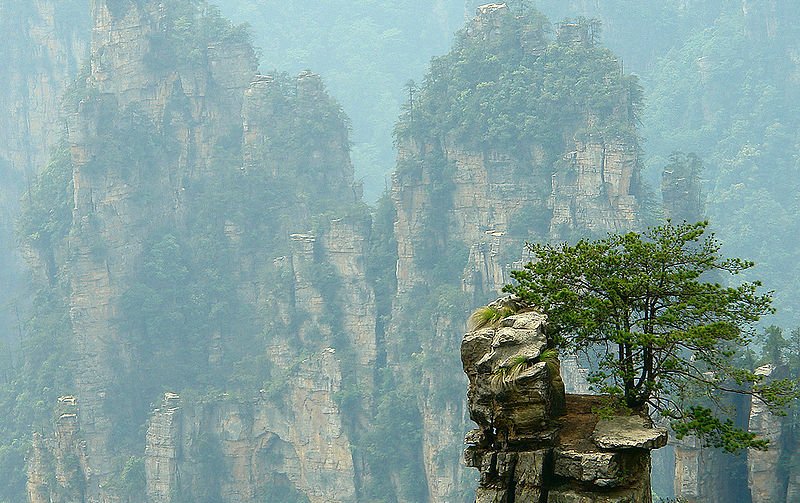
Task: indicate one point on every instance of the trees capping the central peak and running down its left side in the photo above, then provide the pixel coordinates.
(512, 90)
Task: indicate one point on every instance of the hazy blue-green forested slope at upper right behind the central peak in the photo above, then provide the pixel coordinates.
(720, 82)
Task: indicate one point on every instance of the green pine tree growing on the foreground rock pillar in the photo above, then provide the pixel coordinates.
(663, 333)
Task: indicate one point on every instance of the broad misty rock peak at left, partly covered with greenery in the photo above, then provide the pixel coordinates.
(159, 134)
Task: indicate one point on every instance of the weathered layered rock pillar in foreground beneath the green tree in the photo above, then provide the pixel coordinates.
(536, 444)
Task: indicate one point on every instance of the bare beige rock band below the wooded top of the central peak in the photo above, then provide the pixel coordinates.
(493, 193)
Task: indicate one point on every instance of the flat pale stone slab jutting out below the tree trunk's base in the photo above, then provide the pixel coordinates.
(628, 432)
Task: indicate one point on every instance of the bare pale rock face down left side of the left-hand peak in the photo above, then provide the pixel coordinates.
(129, 99)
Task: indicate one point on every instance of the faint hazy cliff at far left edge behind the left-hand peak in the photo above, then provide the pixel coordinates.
(42, 54)
